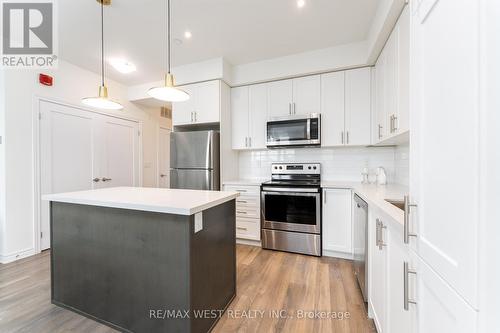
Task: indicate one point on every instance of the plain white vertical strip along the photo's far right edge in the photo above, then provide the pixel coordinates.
(489, 231)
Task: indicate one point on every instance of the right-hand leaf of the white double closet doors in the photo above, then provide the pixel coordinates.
(119, 152)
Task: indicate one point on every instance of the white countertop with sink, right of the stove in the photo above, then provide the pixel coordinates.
(376, 195)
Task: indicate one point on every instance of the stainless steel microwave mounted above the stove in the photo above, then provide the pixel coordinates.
(296, 131)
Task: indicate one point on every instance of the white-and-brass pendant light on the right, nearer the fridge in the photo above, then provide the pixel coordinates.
(168, 92)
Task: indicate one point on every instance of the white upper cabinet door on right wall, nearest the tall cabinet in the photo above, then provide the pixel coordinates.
(402, 121)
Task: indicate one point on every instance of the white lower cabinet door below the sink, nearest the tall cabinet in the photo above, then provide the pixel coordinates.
(399, 320)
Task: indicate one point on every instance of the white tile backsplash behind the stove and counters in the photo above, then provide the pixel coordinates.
(344, 164)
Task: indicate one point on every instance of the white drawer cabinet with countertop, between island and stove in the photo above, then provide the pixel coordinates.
(247, 211)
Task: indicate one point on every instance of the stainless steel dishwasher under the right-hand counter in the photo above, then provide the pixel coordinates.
(360, 220)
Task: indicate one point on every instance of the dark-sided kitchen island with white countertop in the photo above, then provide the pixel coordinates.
(144, 259)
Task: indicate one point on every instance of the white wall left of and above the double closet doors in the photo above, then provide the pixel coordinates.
(21, 86)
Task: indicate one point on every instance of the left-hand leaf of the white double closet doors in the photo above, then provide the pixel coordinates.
(66, 156)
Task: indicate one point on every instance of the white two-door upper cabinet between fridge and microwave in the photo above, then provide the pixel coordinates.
(249, 116)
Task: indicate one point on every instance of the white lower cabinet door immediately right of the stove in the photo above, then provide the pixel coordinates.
(337, 220)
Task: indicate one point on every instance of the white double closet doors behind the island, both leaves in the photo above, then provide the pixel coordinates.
(82, 150)
